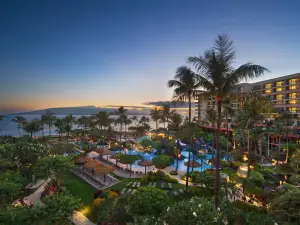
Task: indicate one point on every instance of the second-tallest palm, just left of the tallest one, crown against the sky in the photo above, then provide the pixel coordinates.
(186, 84)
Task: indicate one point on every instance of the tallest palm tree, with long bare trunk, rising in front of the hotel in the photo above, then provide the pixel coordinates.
(218, 77)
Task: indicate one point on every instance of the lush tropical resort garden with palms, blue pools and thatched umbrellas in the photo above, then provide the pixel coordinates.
(187, 172)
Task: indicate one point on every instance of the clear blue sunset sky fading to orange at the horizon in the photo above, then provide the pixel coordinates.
(71, 53)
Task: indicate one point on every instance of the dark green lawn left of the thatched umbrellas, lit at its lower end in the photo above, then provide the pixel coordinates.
(78, 187)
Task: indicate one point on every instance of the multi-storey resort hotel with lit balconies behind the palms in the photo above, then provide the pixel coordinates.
(283, 92)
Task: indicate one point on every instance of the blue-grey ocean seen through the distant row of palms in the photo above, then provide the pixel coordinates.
(8, 127)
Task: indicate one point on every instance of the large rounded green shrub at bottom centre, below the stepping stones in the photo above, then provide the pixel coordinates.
(147, 201)
